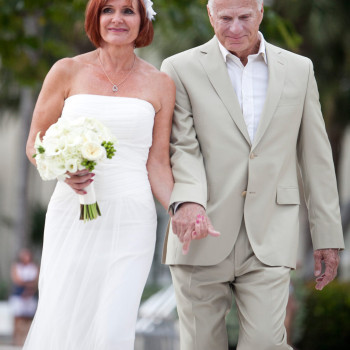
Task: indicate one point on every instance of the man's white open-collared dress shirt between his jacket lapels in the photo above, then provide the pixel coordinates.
(250, 83)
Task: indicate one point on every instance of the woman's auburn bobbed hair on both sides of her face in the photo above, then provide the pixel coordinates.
(92, 23)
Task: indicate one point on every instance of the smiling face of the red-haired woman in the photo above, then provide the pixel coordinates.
(120, 22)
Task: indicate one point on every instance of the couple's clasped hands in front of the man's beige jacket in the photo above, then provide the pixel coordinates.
(191, 222)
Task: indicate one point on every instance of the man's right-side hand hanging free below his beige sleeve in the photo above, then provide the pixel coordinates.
(330, 257)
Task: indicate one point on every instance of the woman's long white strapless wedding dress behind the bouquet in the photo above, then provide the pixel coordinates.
(93, 274)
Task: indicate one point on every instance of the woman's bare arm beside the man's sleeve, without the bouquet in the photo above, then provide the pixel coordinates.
(158, 164)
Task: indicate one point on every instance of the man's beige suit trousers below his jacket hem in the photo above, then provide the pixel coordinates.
(204, 298)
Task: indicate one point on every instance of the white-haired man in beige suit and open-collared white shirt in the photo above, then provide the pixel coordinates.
(247, 119)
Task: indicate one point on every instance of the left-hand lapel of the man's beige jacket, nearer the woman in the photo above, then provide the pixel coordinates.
(215, 67)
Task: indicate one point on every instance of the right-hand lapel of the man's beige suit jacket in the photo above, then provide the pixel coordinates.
(277, 74)
